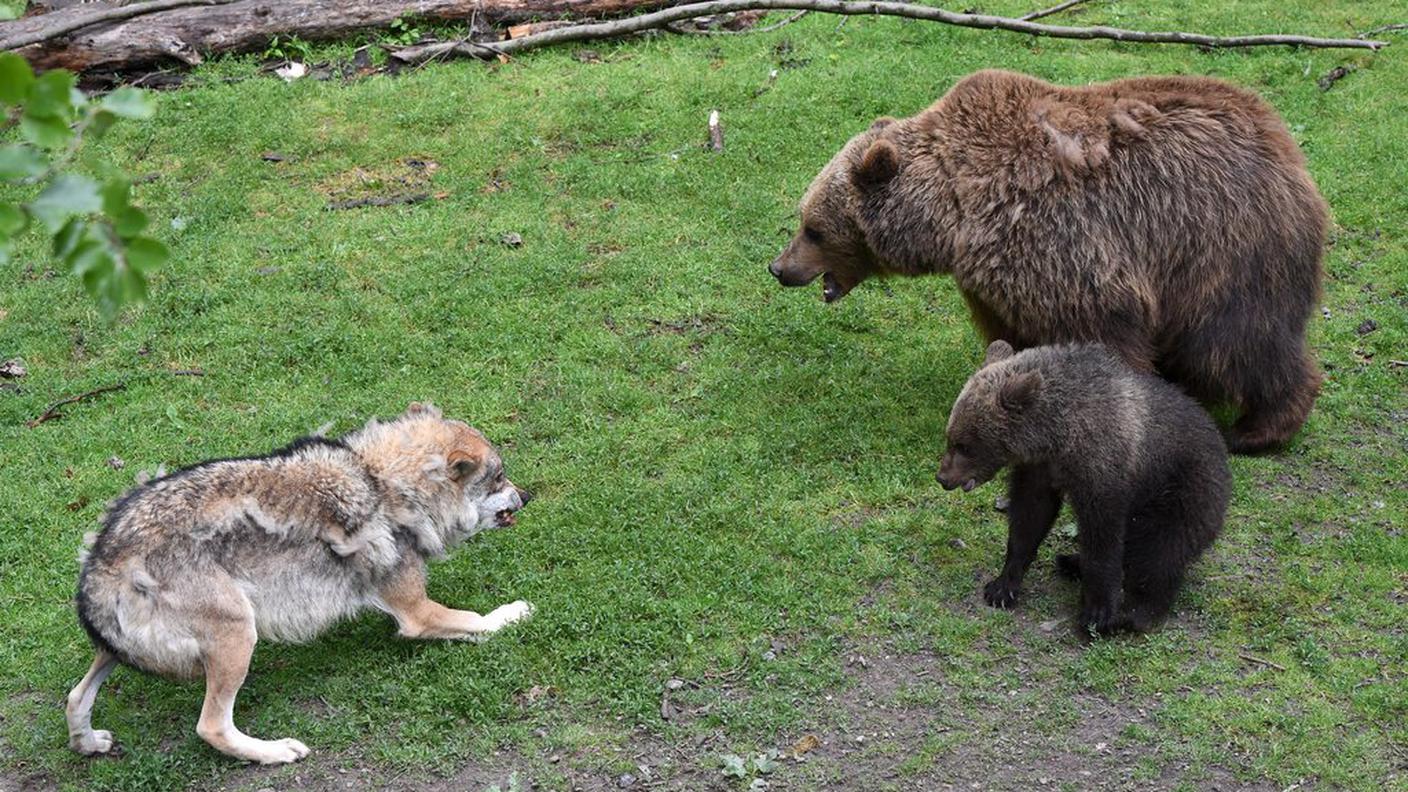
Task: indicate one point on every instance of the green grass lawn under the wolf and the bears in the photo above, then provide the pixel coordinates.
(719, 463)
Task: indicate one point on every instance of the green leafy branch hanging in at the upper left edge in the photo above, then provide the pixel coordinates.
(95, 229)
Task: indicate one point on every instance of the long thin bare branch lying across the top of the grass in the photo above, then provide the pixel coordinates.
(846, 8)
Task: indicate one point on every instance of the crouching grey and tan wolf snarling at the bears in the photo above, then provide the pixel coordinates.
(192, 569)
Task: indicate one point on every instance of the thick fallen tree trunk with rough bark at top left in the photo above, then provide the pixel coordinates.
(188, 35)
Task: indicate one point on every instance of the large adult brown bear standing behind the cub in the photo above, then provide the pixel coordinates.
(1169, 218)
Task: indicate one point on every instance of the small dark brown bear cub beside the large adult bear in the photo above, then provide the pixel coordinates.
(1143, 464)
